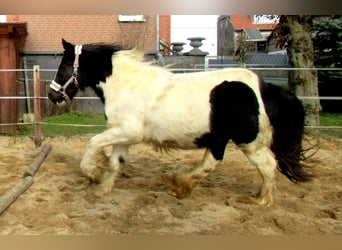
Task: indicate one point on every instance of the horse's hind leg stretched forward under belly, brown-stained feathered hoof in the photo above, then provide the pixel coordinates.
(181, 185)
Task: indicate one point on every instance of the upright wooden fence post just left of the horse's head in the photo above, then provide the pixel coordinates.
(37, 115)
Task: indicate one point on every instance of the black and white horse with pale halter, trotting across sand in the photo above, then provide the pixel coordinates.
(145, 103)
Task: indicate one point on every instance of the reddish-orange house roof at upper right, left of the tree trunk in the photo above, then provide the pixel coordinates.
(244, 22)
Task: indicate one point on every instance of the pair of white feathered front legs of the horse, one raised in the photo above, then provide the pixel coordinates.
(96, 165)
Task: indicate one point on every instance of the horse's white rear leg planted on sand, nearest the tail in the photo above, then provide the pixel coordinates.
(266, 164)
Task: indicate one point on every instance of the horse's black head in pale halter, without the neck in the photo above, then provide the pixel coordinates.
(65, 85)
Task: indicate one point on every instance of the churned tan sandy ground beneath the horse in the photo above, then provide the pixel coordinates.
(62, 202)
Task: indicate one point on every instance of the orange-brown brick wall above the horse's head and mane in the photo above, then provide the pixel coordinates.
(46, 31)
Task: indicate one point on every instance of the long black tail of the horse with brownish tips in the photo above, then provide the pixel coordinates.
(286, 114)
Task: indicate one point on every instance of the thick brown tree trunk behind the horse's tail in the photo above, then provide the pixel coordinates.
(301, 55)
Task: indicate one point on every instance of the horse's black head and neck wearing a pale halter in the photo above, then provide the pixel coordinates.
(81, 67)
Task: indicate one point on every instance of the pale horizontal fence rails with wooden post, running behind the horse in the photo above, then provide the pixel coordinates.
(37, 82)
